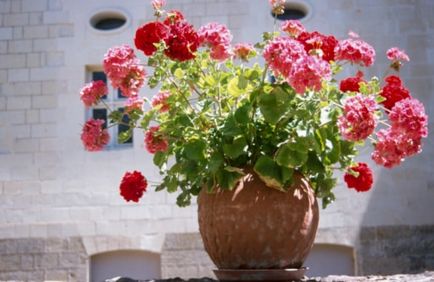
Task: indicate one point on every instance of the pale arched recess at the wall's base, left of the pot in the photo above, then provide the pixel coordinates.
(134, 264)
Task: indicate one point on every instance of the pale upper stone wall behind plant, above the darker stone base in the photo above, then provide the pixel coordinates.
(51, 187)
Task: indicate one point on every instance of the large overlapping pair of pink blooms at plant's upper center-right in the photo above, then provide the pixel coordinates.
(287, 57)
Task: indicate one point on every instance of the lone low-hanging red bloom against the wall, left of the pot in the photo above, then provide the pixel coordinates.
(133, 185)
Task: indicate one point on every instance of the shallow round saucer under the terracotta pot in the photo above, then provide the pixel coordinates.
(269, 275)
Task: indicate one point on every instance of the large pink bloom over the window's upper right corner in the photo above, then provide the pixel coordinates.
(124, 70)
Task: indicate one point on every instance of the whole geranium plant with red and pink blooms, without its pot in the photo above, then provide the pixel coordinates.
(219, 112)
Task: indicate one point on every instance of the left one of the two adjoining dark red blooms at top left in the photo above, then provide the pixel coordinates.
(148, 35)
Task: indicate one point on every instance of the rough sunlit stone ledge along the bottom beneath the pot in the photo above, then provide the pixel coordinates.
(427, 276)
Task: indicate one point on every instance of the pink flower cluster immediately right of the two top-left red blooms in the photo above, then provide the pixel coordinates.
(218, 38)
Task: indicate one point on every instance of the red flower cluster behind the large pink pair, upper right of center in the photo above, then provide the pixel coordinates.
(314, 41)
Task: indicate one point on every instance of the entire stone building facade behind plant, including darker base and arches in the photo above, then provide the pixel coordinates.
(61, 217)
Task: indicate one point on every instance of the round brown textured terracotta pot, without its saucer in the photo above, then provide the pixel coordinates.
(257, 227)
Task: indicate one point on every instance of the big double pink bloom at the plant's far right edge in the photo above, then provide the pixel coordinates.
(403, 139)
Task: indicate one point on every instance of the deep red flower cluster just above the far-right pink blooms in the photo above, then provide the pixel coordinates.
(394, 91)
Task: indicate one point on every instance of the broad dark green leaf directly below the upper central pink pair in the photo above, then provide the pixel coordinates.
(273, 106)
